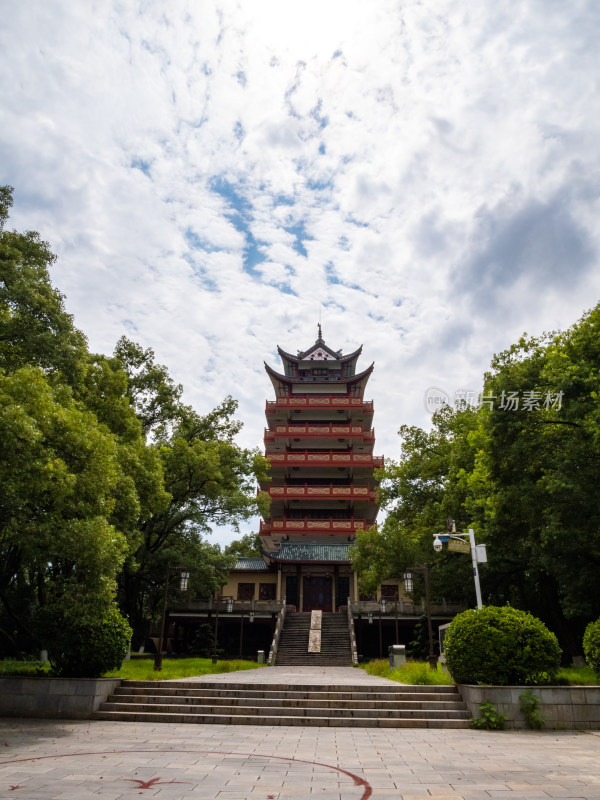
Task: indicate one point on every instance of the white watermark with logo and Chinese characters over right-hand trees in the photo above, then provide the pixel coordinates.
(531, 400)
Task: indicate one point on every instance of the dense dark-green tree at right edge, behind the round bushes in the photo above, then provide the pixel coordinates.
(540, 462)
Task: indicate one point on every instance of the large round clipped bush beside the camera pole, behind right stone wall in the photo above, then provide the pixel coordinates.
(500, 646)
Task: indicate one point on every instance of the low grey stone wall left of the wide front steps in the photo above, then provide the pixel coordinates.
(56, 698)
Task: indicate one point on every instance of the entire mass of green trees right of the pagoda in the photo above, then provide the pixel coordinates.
(523, 471)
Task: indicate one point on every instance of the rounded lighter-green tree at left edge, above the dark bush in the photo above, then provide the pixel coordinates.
(58, 471)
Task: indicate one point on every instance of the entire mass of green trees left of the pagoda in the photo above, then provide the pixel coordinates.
(106, 476)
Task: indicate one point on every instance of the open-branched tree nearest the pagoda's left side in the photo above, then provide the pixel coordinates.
(209, 478)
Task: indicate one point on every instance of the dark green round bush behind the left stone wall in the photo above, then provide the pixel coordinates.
(88, 650)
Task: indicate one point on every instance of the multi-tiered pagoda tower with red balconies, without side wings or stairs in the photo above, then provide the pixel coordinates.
(319, 442)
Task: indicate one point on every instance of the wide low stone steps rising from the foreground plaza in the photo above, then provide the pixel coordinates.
(358, 706)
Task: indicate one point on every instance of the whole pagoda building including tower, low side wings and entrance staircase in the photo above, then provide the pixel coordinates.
(320, 444)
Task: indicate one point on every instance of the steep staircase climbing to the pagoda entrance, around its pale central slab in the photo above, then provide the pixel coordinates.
(335, 642)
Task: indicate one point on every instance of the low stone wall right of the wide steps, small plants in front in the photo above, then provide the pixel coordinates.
(563, 707)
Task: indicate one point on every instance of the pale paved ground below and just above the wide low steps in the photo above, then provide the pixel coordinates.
(57, 760)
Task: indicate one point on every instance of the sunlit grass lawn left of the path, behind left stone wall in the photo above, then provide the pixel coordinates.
(142, 669)
